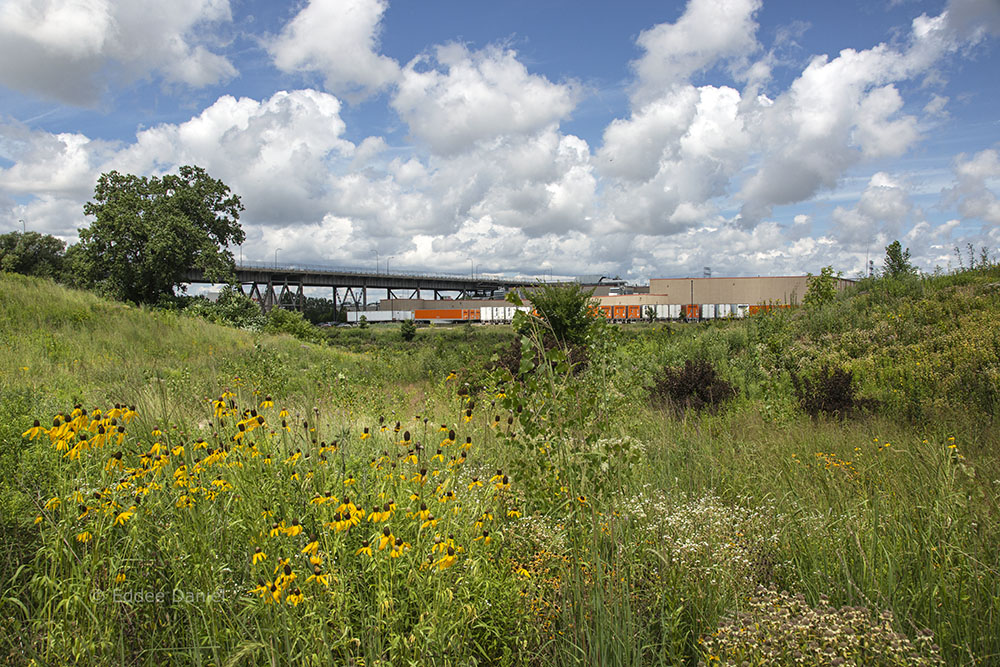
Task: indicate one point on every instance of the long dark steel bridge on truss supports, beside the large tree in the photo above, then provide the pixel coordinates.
(282, 286)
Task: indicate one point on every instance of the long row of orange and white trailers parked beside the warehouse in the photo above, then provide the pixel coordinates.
(616, 313)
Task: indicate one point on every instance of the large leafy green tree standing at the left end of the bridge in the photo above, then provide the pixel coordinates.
(149, 231)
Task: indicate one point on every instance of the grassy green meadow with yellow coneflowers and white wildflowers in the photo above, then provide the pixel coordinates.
(557, 516)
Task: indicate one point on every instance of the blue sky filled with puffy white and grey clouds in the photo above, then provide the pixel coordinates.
(564, 137)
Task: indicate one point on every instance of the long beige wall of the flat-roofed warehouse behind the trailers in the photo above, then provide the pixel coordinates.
(787, 290)
